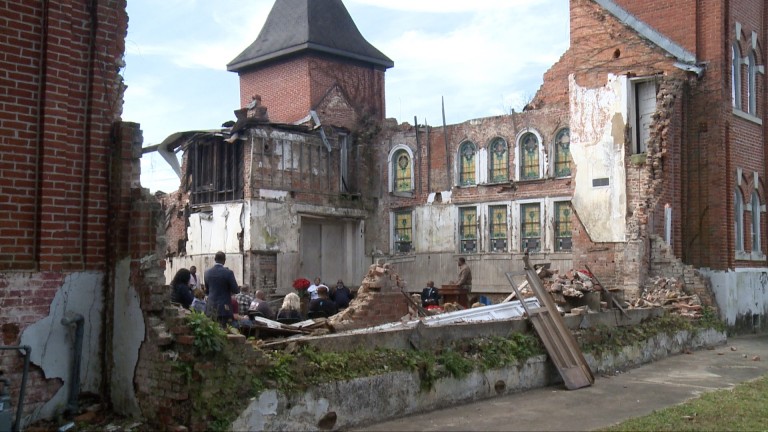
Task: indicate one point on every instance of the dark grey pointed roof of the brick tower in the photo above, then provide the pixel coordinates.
(309, 25)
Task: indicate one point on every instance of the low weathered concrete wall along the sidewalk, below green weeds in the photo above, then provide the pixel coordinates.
(362, 401)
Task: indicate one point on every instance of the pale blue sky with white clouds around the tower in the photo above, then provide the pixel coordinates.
(485, 57)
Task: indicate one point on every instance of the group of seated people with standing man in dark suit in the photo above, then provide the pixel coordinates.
(233, 305)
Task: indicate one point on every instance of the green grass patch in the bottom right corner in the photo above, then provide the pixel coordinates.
(743, 408)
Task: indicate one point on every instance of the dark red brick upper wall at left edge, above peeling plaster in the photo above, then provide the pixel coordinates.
(54, 130)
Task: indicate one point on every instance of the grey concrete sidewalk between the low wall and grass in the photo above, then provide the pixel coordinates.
(610, 400)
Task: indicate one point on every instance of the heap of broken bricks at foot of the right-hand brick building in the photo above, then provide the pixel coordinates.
(669, 293)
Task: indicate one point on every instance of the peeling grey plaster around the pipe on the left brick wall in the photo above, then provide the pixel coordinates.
(53, 343)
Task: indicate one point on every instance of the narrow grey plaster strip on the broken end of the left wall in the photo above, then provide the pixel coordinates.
(128, 334)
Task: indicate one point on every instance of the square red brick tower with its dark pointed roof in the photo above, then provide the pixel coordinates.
(311, 56)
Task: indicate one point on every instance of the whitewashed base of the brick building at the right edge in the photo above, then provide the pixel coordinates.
(742, 297)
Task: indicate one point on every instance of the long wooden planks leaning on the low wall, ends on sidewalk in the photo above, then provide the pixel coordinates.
(557, 338)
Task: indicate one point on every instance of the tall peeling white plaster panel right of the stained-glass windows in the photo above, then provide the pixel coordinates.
(598, 119)
